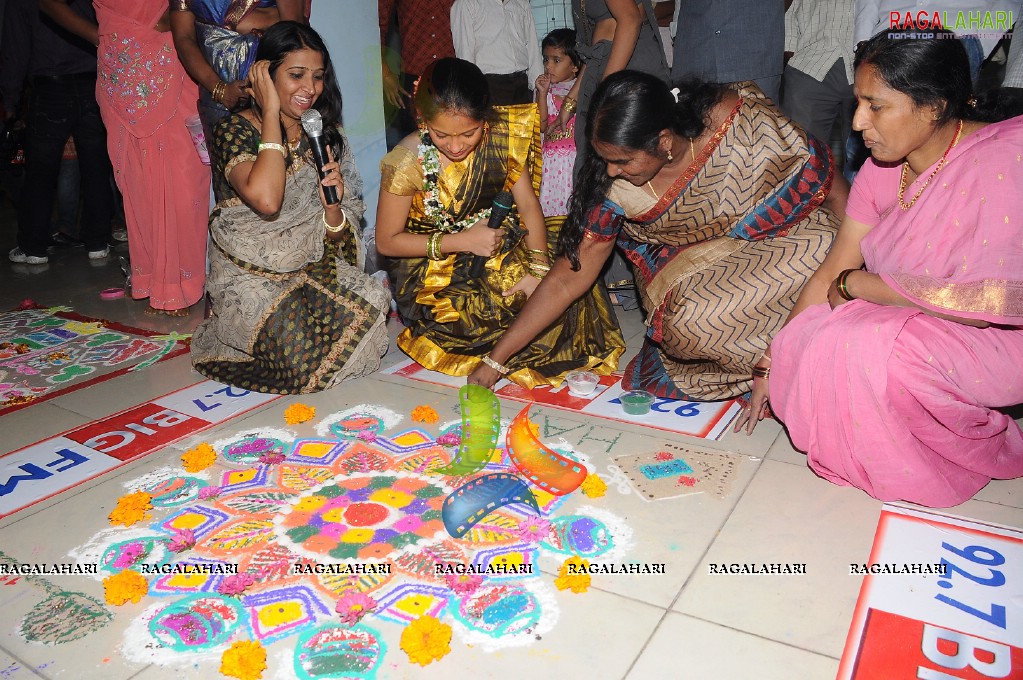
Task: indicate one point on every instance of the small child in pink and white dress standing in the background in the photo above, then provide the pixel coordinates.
(561, 66)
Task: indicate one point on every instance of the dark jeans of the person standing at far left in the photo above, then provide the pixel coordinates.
(64, 106)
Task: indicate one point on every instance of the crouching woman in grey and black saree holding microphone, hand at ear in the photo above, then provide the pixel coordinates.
(293, 311)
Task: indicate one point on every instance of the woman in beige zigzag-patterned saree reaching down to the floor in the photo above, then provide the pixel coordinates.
(718, 202)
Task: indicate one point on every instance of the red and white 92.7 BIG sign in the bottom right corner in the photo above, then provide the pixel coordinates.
(965, 623)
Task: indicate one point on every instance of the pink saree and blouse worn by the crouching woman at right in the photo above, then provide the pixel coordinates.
(896, 401)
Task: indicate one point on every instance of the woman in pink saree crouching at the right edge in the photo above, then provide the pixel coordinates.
(907, 343)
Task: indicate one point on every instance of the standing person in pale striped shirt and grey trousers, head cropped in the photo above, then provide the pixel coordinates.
(819, 73)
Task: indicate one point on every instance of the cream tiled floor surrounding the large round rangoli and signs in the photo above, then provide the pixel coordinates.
(684, 624)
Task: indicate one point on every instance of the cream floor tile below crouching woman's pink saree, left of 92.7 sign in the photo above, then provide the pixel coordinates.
(788, 516)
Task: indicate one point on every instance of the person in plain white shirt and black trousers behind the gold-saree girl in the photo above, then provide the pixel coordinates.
(500, 37)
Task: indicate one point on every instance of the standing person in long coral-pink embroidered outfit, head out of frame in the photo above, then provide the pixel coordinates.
(145, 98)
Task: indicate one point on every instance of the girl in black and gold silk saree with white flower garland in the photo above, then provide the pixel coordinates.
(437, 192)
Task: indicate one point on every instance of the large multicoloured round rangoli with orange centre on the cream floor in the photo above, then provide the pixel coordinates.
(342, 515)
